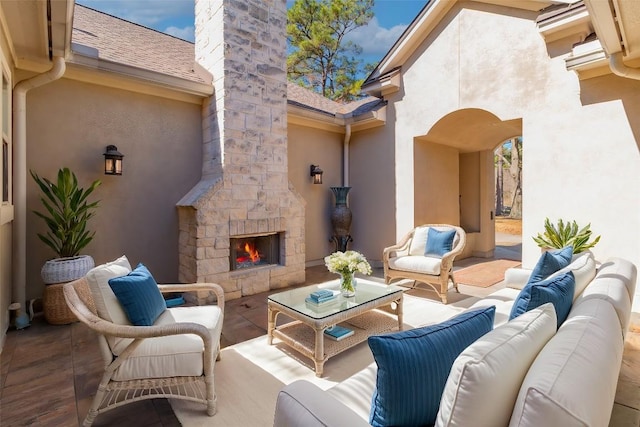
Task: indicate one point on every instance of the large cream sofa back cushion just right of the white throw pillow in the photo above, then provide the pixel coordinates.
(573, 380)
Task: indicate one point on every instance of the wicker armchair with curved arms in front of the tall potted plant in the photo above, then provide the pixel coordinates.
(121, 344)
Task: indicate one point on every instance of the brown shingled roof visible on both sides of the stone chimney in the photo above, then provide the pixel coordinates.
(124, 42)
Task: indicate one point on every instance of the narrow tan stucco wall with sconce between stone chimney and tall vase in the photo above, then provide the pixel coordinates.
(307, 146)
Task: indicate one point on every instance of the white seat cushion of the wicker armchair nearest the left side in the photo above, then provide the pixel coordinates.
(175, 355)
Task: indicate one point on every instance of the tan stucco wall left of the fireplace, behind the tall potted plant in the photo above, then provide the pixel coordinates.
(70, 124)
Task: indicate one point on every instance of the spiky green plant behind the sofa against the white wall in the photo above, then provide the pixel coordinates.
(565, 234)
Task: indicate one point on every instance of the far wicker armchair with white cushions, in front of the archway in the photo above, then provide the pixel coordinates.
(406, 260)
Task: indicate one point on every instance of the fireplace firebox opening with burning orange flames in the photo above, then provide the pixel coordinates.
(254, 251)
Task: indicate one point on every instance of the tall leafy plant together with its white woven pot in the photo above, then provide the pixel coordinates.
(67, 214)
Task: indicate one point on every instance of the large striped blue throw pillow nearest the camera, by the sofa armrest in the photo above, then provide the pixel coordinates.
(413, 367)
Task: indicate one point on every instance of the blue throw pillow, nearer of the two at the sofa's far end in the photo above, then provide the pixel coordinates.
(556, 290)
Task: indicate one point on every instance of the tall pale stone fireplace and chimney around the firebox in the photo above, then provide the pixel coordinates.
(244, 188)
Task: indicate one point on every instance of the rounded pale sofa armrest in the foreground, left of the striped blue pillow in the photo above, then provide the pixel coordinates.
(302, 403)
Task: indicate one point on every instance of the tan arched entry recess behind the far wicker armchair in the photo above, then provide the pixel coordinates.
(454, 175)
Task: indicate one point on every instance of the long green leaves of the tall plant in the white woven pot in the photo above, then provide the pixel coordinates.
(68, 213)
